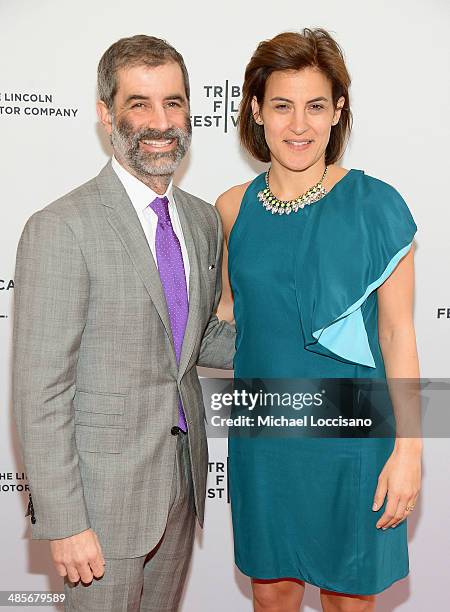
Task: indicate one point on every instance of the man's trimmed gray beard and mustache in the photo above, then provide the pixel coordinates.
(126, 143)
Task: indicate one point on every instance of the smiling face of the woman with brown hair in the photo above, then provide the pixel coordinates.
(297, 114)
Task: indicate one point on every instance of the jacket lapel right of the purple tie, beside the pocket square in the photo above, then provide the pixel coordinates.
(190, 232)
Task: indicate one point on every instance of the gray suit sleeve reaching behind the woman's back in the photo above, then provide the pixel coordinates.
(218, 343)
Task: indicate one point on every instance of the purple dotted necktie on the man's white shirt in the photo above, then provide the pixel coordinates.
(173, 281)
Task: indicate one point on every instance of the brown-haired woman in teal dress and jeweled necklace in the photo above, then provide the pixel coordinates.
(320, 269)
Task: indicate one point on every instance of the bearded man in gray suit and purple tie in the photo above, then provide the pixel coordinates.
(117, 283)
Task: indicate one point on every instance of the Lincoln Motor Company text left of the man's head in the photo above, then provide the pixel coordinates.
(32, 105)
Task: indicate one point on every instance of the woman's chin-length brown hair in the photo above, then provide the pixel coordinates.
(294, 51)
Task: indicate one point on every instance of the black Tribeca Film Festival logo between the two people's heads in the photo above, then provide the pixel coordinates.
(223, 101)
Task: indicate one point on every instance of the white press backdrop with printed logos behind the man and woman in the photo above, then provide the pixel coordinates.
(397, 54)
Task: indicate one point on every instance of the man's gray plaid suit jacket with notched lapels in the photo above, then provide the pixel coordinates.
(95, 378)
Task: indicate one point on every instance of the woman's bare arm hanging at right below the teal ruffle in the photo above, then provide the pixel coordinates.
(400, 477)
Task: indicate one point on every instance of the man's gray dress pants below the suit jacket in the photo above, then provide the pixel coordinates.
(154, 582)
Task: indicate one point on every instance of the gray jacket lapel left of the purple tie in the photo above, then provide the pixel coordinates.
(124, 220)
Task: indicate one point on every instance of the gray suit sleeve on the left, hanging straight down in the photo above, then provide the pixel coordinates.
(51, 304)
